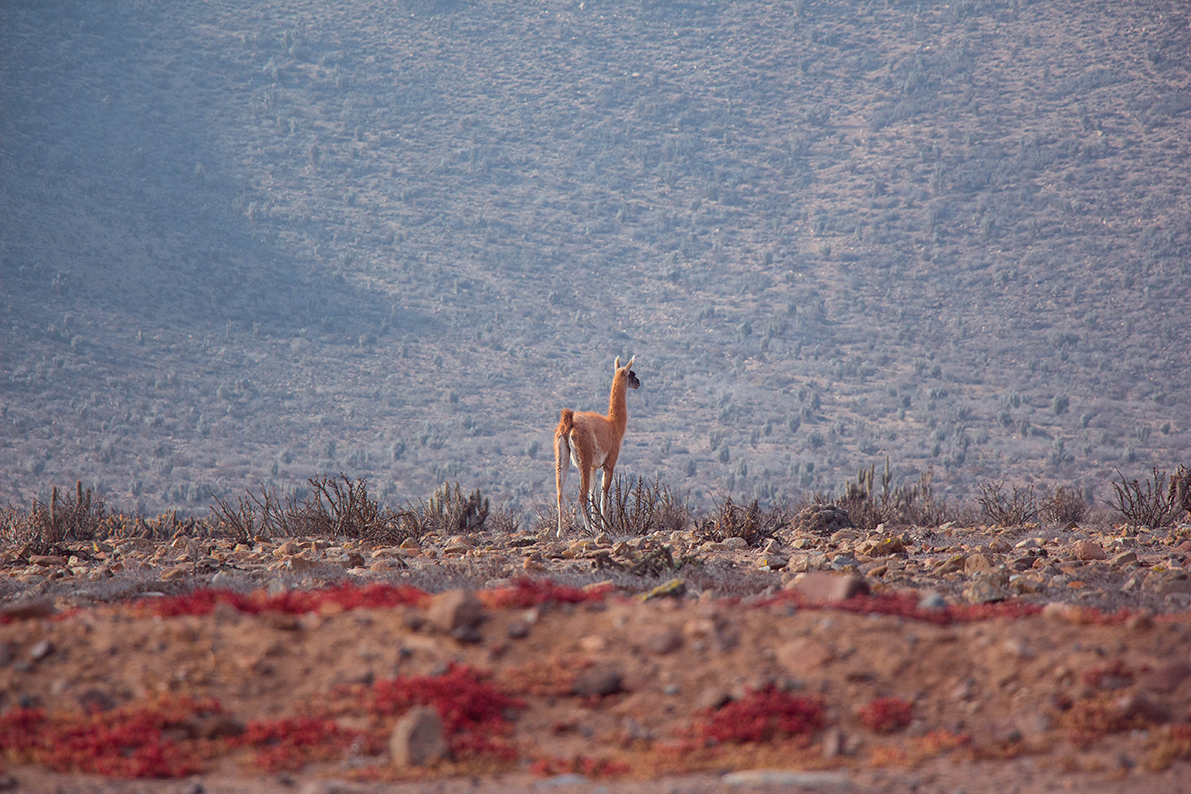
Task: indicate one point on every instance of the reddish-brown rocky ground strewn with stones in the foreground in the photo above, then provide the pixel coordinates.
(953, 659)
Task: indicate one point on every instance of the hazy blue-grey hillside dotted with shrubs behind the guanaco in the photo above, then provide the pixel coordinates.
(246, 243)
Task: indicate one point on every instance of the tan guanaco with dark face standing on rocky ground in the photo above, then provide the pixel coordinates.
(594, 442)
